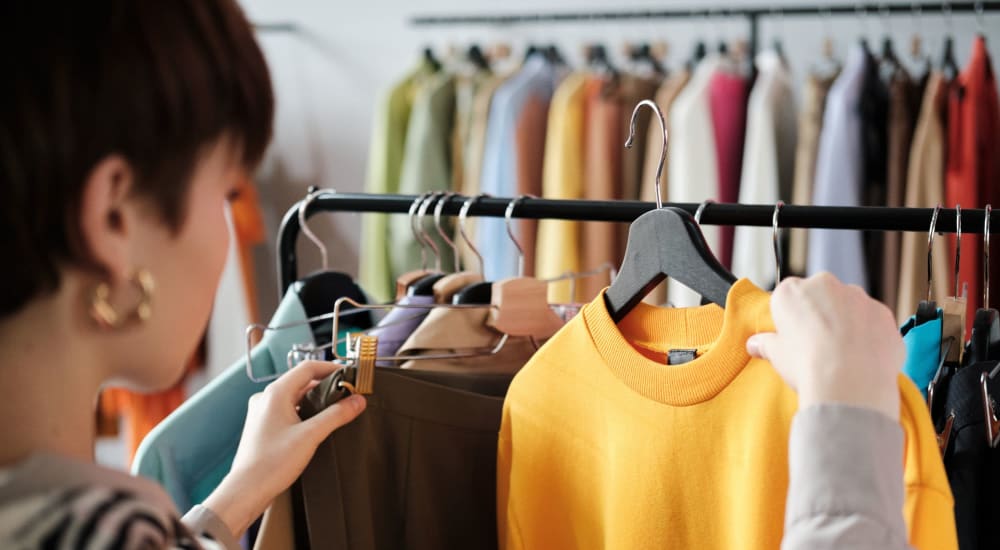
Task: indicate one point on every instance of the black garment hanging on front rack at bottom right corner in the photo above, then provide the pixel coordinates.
(973, 467)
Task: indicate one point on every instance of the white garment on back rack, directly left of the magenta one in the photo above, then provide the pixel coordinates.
(692, 172)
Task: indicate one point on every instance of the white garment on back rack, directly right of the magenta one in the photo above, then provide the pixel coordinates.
(768, 164)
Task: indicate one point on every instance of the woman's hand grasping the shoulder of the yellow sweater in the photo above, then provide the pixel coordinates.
(833, 344)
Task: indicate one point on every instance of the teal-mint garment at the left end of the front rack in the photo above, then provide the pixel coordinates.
(193, 449)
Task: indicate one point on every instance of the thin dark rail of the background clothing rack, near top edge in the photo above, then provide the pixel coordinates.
(751, 14)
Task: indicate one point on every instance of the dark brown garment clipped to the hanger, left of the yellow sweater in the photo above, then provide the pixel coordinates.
(417, 470)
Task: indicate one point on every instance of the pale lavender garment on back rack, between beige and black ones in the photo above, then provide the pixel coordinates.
(839, 175)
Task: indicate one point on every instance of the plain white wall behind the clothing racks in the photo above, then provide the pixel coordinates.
(327, 86)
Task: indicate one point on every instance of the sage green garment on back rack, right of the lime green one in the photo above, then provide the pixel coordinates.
(426, 167)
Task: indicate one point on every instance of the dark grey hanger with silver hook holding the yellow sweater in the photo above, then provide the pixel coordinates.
(665, 242)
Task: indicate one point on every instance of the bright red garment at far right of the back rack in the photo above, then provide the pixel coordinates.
(974, 162)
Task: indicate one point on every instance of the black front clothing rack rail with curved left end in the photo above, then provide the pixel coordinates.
(790, 216)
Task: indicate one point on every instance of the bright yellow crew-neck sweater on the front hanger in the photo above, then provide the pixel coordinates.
(603, 445)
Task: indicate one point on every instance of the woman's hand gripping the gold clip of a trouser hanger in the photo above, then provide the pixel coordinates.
(277, 445)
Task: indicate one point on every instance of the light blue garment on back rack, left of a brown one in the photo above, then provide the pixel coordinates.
(499, 175)
